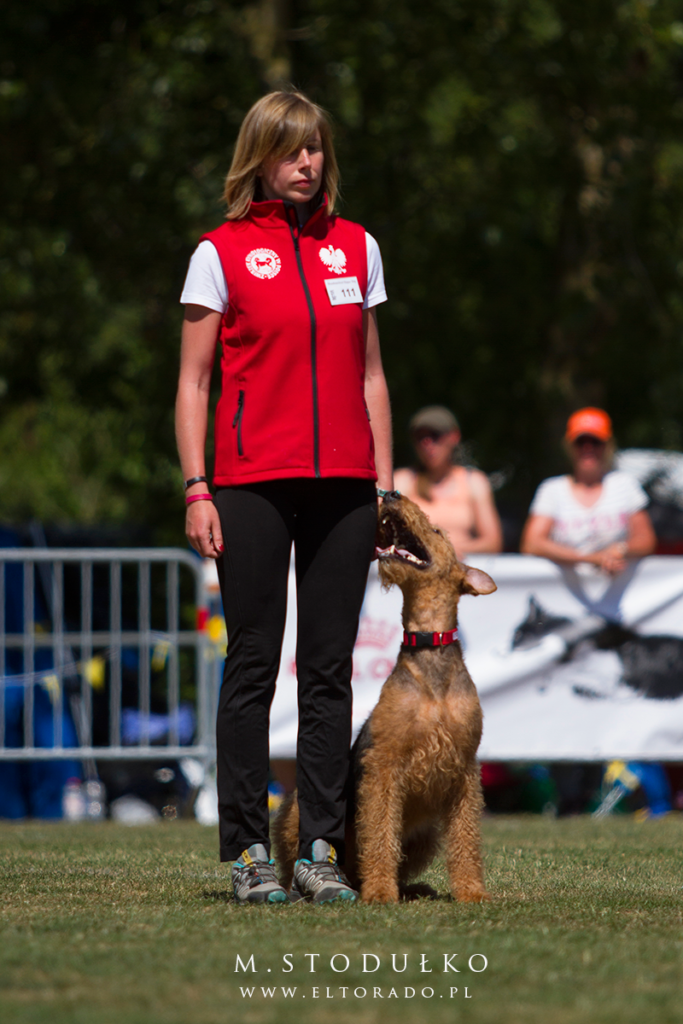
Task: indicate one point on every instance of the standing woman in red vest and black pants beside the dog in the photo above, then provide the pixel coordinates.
(303, 436)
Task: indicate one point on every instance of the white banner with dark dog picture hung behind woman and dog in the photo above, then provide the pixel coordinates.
(557, 681)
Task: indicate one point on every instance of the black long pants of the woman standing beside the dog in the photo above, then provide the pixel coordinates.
(332, 524)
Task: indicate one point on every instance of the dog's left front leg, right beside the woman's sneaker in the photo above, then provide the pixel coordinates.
(379, 828)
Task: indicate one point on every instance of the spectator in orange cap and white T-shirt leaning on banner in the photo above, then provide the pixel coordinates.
(596, 515)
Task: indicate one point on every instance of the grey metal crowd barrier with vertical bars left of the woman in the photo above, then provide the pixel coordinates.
(104, 655)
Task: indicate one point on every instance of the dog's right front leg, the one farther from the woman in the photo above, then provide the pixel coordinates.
(463, 843)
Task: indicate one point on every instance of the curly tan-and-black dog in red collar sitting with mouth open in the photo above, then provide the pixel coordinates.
(415, 781)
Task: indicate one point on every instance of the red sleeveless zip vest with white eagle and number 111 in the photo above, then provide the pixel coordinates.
(293, 366)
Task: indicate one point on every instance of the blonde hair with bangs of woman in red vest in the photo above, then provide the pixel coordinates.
(277, 125)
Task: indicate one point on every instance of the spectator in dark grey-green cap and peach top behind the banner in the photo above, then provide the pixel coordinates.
(456, 498)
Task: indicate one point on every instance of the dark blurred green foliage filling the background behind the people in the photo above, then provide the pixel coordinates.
(521, 163)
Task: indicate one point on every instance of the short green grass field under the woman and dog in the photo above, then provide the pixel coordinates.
(108, 925)
